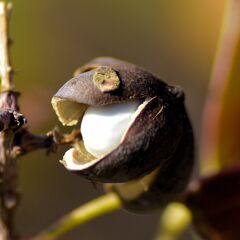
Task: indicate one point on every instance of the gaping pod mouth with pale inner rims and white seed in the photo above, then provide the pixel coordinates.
(103, 129)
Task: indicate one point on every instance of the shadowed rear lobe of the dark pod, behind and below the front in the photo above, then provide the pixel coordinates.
(166, 182)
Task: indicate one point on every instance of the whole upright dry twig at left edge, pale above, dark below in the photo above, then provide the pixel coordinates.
(10, 122)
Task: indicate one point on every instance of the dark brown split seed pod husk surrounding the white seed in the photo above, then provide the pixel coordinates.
(157, 146)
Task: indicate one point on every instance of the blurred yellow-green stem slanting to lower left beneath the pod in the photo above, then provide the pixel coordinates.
(93, 209)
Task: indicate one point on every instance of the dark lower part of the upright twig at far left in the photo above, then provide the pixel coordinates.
(8, 165)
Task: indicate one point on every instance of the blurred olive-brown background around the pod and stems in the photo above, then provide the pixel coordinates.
(174, 39)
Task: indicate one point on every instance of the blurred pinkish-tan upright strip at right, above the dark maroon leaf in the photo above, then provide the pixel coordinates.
(222, 68)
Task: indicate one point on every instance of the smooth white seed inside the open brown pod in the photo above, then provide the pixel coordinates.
(102, 128)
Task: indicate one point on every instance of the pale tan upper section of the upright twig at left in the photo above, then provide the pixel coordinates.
(5, 68)
